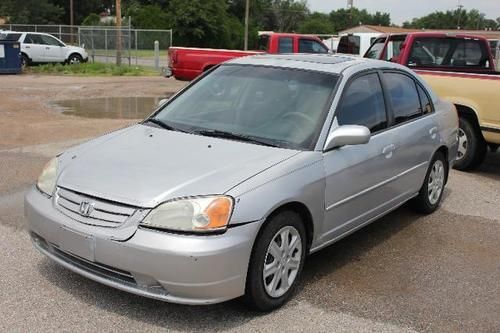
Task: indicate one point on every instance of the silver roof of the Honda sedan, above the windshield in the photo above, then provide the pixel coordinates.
(335, 64)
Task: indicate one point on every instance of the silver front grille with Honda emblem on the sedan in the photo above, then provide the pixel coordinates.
(97, 212)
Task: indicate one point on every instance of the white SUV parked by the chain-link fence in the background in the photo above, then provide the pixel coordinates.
(37, 47)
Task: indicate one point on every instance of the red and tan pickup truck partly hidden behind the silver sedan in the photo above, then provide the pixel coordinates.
(460, 68)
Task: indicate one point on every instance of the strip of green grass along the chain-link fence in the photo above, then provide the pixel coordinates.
(92, 69)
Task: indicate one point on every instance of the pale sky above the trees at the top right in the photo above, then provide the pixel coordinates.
(405, 10)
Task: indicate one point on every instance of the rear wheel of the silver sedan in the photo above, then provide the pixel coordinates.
(431, 192)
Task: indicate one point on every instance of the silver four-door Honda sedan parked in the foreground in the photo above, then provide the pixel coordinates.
(227, 187)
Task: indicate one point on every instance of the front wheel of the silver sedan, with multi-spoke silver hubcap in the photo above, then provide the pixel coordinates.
(261, 293)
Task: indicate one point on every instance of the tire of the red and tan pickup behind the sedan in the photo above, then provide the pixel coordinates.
(471, 146)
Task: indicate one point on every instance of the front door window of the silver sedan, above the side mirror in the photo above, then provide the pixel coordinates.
(363, 104)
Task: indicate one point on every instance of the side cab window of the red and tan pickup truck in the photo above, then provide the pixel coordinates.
(448, 52)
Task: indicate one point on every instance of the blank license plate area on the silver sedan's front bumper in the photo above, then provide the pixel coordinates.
(76, 243)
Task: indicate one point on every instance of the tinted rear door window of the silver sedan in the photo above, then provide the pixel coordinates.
(405, 101)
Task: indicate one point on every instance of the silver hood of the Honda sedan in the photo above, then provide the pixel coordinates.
(145, 166)
